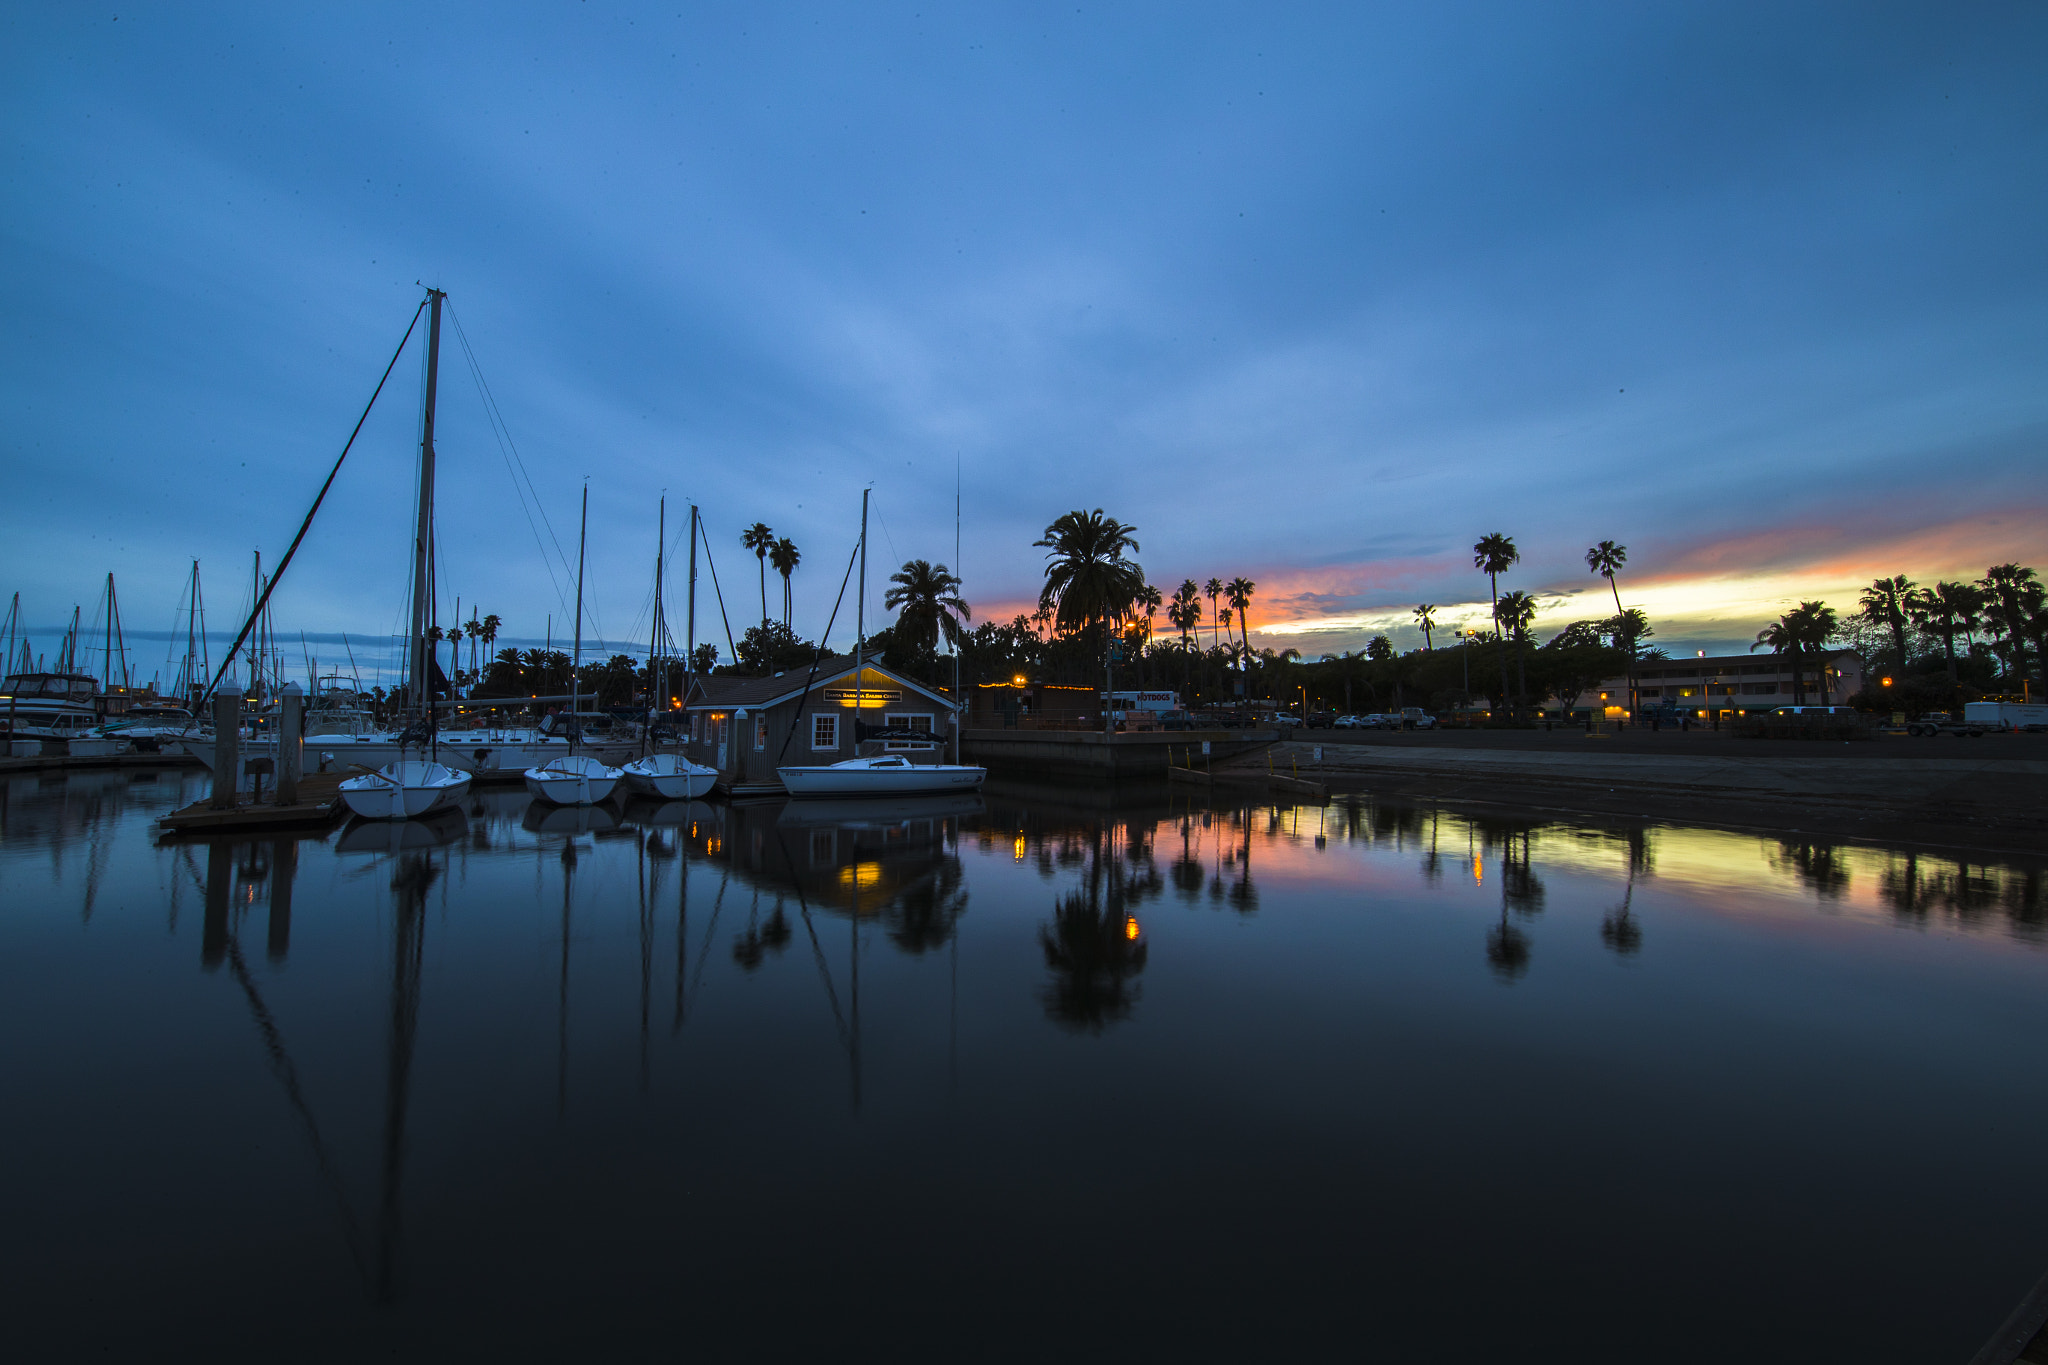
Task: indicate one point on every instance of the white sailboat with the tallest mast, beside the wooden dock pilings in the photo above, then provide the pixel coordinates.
(417, 785)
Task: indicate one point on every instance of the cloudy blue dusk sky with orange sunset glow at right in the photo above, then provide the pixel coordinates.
(1316, 296)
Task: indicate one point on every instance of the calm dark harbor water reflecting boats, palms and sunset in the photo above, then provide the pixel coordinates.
(1009, 1077)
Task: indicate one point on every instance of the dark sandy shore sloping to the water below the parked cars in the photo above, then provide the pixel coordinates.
(1959, 795)
